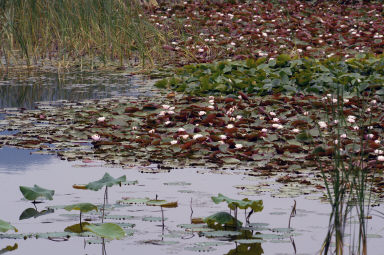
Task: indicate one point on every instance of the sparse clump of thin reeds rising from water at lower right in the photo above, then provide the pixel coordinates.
(348, 182)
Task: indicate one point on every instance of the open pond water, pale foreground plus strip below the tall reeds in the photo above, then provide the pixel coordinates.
(192, 188)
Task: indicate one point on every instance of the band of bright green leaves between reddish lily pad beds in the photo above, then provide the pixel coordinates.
(281, 75)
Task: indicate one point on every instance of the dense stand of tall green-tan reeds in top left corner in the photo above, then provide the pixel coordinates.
(81, 32)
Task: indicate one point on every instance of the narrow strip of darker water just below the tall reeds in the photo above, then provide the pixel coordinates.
(75, 86)
